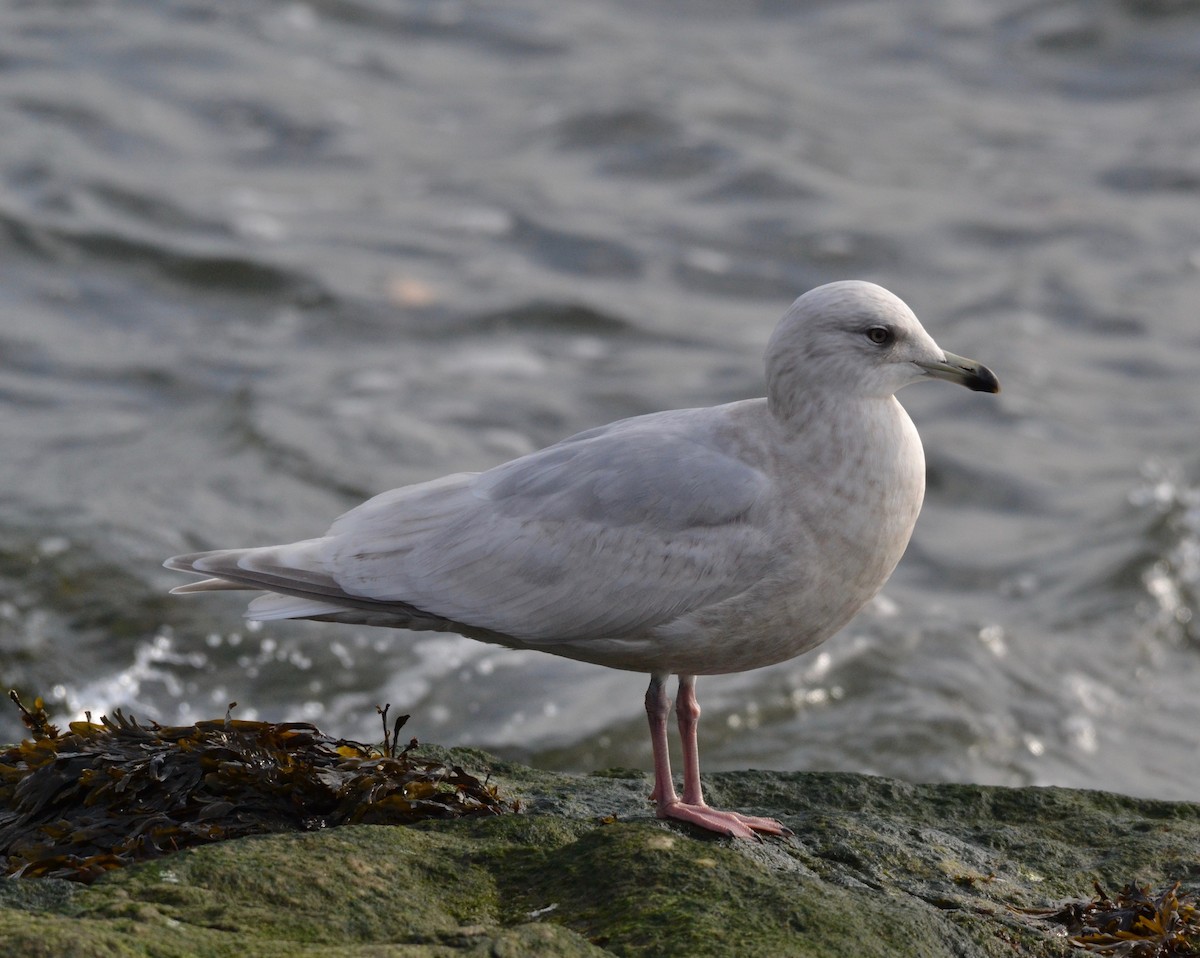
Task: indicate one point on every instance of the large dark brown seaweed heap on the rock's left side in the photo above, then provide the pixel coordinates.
(106, 794)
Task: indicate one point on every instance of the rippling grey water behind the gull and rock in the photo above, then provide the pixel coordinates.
(261, 261)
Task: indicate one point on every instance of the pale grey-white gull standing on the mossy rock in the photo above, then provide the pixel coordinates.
(688, 543)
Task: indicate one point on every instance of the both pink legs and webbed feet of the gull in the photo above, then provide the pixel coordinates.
(693, 809)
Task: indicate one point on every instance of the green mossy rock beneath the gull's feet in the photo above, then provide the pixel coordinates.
(877, 869)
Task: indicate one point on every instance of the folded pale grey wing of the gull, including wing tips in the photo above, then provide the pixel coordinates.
(604, 535)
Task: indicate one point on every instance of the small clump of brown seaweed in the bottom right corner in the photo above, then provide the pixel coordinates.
(1138, 923)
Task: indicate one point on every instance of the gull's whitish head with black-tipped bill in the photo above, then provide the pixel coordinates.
(856, 340)
